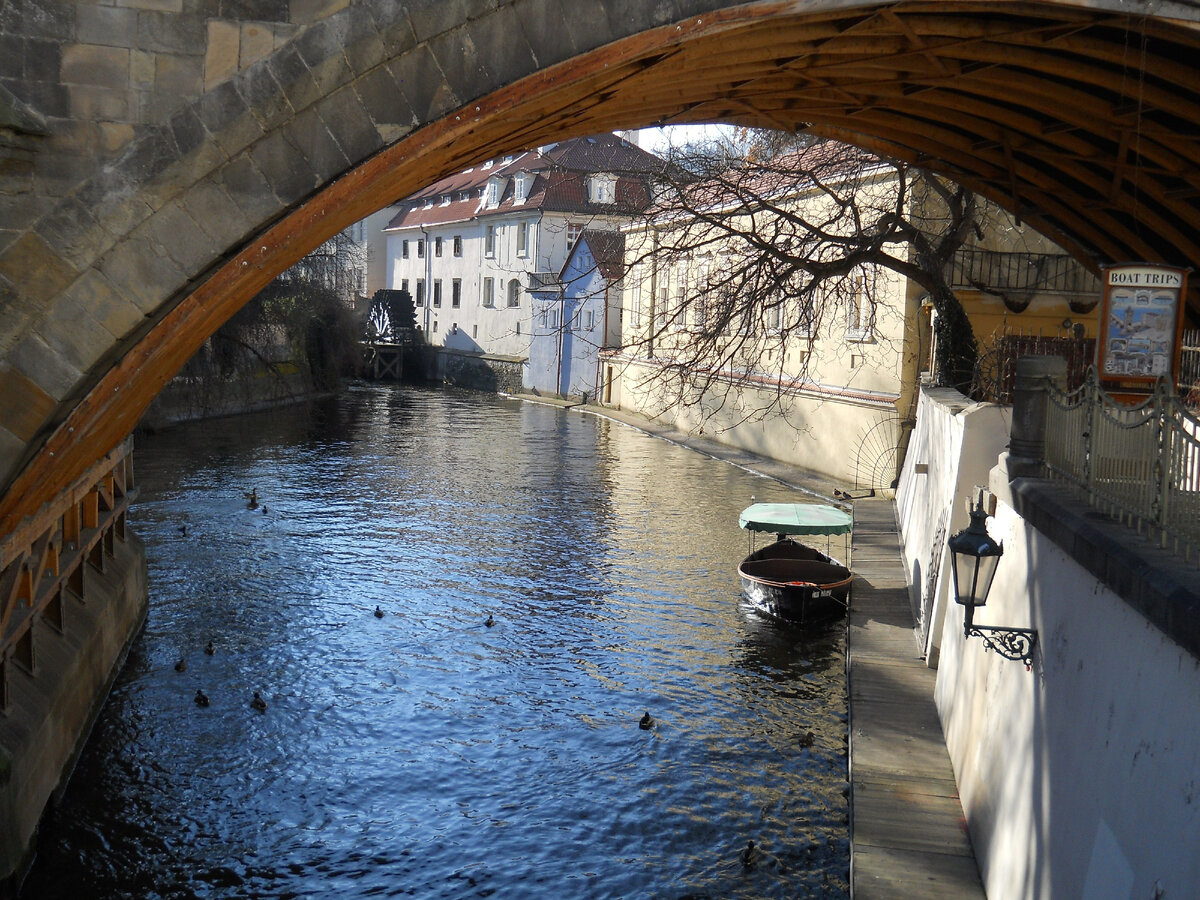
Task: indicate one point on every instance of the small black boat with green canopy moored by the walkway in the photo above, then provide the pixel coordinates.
(789, 580)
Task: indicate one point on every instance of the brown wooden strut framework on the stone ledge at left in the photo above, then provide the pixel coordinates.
(44, 562)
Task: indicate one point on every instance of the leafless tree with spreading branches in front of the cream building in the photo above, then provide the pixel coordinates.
(757, 243)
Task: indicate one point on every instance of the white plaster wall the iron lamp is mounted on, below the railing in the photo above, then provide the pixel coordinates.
(1081, 779)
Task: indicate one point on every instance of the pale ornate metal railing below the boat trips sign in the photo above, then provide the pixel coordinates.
(1137, 464)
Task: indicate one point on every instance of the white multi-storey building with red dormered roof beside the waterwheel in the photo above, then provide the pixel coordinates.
(467, 248)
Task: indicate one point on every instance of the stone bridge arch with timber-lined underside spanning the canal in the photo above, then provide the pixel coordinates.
(164, 160)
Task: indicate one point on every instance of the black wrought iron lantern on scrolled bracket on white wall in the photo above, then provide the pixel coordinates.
(975, 557)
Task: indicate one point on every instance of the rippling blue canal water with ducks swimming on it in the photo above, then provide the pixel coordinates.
(427, 754)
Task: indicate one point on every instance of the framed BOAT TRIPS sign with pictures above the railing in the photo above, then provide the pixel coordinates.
(1141, 323)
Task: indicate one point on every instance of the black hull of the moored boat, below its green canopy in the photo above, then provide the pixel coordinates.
(796, 584)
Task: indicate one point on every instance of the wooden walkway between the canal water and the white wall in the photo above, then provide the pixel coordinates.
(909, 837)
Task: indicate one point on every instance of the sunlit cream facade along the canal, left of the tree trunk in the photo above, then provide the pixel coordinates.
(824, 382)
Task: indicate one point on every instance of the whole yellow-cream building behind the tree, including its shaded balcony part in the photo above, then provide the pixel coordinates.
(825, 380)
